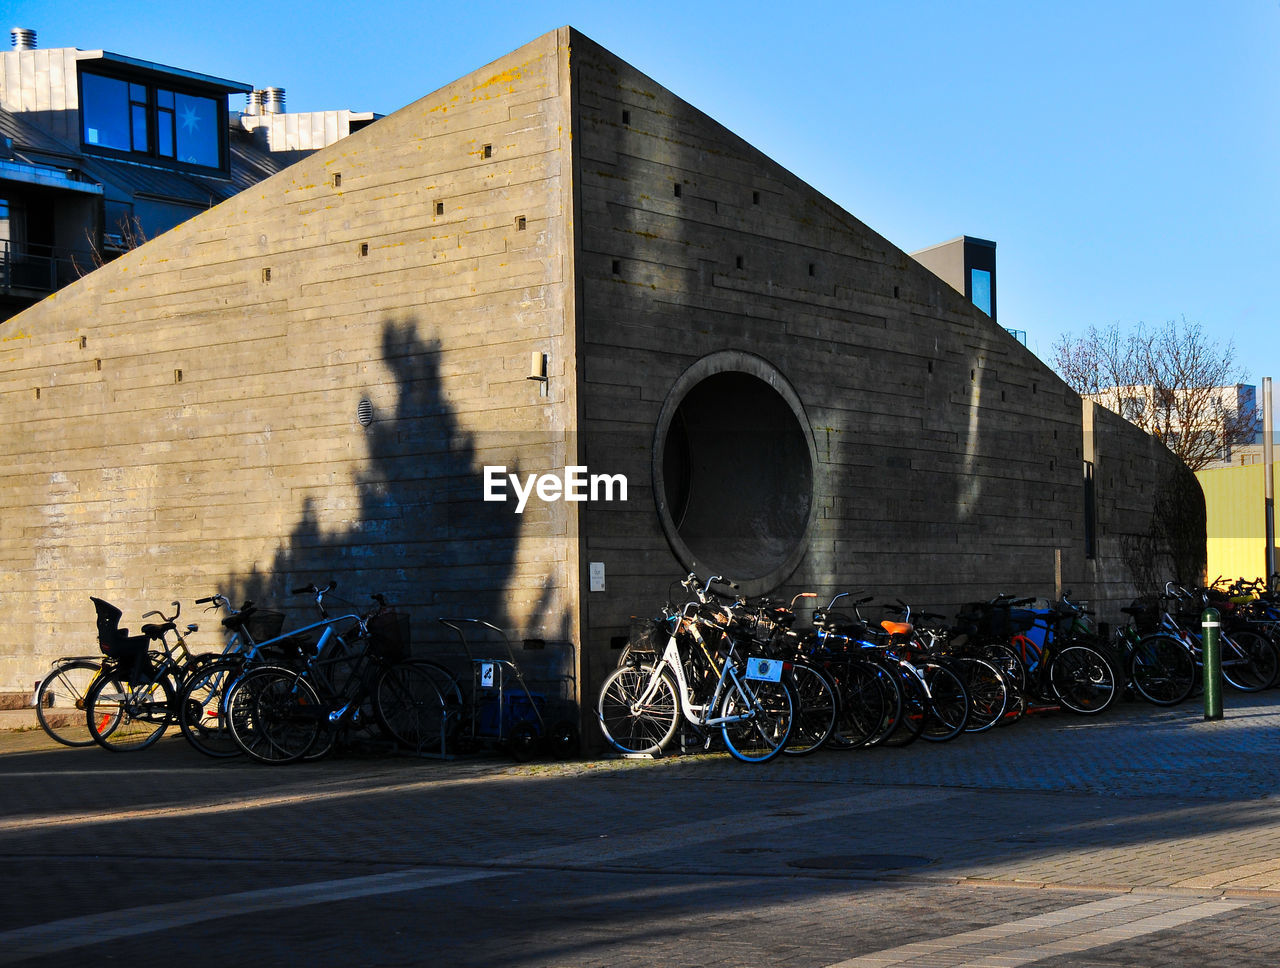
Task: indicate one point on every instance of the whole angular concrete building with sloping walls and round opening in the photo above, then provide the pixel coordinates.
(550, 264)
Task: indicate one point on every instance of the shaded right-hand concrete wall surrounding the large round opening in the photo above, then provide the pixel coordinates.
(947, 460)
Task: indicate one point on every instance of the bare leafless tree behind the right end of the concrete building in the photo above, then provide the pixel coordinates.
(1173, 382)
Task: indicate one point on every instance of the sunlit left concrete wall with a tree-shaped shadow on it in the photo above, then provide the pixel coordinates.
(185, 421)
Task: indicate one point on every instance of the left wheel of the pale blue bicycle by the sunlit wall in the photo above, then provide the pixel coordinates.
(275, 715)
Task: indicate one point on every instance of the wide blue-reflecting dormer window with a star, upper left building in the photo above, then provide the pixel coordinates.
(134, 117)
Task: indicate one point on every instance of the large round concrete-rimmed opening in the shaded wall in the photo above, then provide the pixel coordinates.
(734, 472)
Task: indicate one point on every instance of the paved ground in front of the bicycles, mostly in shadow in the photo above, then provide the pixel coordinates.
(1146, 838)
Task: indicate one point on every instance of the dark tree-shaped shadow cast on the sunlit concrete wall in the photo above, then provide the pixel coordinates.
(420, 532)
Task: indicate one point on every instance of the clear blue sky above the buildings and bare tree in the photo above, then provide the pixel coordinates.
(1124, 156)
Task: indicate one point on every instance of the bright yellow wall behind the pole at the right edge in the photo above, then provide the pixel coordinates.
(1236, 523)
